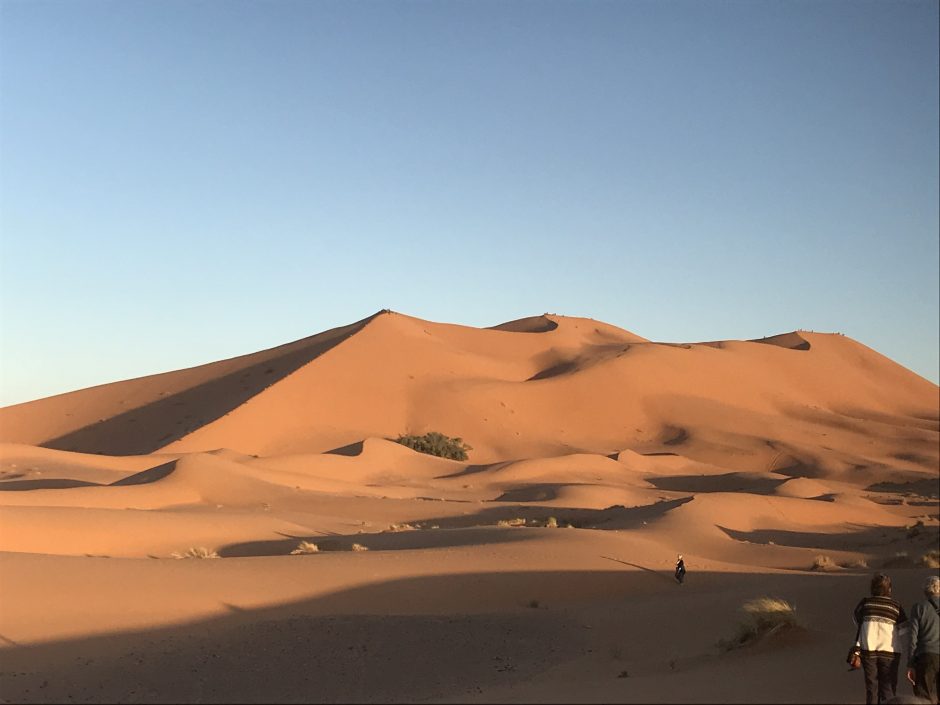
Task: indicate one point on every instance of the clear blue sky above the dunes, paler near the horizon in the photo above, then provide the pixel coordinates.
(188, 181)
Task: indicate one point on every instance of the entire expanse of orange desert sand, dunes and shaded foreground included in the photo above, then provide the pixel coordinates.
(538, 570)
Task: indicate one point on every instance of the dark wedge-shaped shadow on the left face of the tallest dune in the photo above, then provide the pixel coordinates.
(152, 426)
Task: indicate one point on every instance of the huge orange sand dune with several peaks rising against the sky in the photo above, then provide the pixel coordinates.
(538, 386)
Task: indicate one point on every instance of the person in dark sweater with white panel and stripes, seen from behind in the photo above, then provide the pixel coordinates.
(882, 626)
